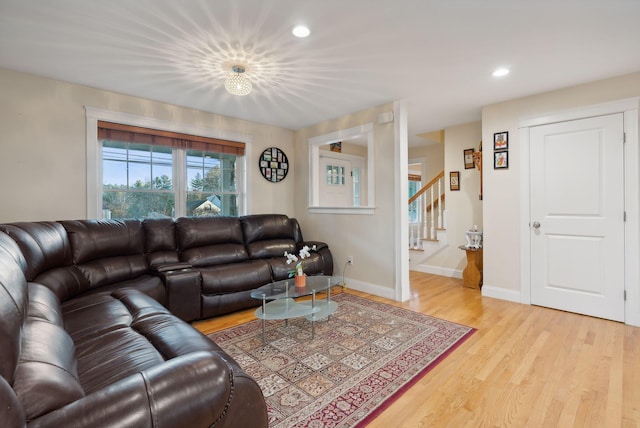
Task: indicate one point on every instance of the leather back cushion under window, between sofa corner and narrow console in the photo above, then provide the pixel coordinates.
(107, 251)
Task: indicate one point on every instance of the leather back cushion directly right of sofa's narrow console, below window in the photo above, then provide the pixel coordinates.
(210, 241)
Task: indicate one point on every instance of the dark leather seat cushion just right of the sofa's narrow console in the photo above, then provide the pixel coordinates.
(234, 277)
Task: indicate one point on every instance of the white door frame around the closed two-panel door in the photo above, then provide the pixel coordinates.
(629, 108)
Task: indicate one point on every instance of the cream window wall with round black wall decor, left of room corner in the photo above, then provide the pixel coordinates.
(42, 150)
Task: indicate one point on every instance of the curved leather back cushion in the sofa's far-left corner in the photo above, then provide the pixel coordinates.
(44, 245)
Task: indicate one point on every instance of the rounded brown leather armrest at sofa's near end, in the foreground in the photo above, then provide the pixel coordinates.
(195, 390)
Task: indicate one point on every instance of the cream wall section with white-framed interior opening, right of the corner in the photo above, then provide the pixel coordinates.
(370, 239)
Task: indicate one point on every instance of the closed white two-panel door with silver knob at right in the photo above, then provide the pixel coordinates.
(577, 209)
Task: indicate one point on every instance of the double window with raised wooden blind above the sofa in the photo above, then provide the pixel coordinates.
(148, 173)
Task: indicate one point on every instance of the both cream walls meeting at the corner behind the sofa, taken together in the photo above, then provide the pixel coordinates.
(43, 167)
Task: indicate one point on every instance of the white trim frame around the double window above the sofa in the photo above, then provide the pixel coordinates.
(94, 156)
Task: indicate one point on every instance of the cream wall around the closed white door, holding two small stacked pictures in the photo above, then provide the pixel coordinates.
(502, 214)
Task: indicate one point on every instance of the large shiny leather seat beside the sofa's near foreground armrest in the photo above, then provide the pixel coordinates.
(125, 332)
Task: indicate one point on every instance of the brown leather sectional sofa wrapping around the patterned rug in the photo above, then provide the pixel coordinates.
(93, 329)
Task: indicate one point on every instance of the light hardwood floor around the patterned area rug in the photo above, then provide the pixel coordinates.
(525, 366)
